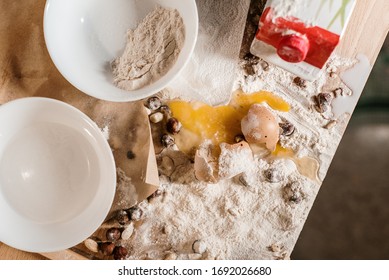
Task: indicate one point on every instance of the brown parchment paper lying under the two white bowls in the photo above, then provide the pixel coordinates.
(27, 70)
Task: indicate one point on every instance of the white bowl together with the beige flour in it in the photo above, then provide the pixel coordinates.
(122, 50)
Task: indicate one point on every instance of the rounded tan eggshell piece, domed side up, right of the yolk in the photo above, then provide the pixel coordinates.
(260, 126)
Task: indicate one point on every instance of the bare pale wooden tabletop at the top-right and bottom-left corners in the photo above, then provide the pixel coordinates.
(365, 34)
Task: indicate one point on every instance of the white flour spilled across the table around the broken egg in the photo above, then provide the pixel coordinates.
(257, 214)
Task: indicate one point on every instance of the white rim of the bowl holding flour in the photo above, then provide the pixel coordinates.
(126, 96)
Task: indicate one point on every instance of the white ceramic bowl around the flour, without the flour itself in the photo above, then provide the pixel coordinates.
(84, 36)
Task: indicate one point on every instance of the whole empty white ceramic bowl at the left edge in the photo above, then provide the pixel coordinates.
(57, 175)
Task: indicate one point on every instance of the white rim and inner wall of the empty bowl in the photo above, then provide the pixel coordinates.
(30, 237)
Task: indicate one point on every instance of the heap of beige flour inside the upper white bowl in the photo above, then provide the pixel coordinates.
(152, 49)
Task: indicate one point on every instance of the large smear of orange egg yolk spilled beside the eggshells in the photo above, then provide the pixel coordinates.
(220, 123)
